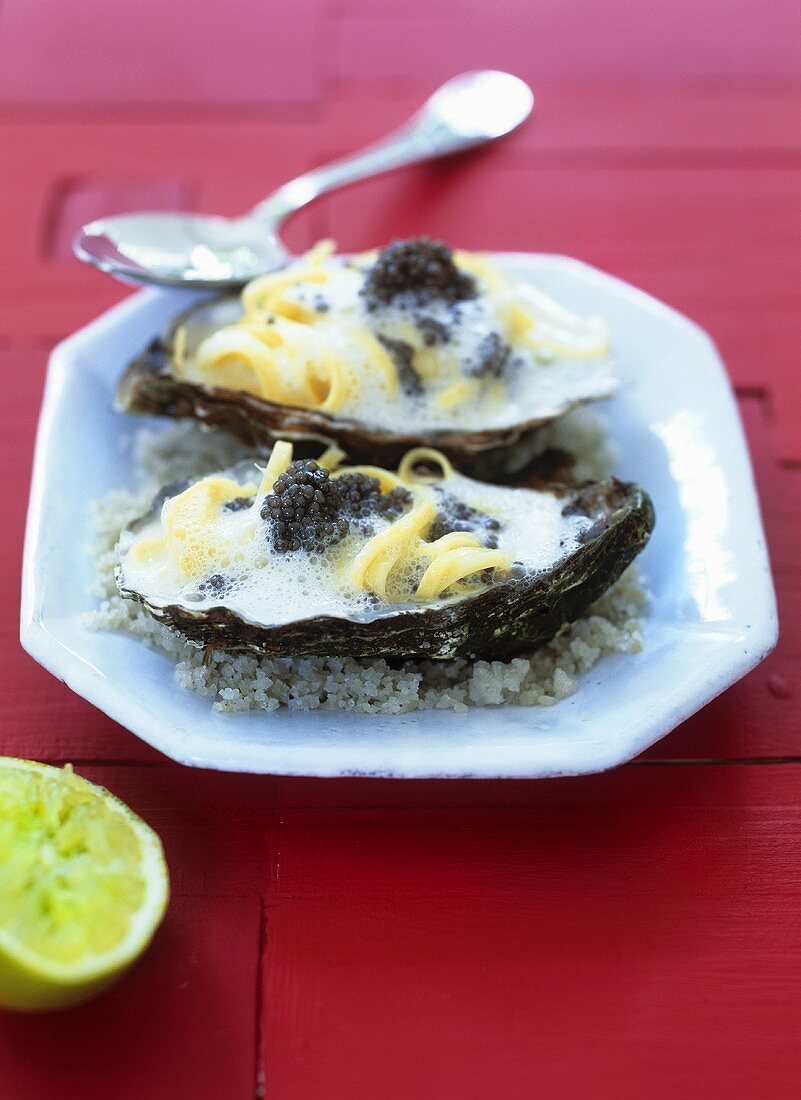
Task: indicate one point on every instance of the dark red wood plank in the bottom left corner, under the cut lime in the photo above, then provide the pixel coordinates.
(181, 1026)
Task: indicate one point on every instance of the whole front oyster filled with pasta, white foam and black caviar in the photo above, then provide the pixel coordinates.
(317, 558)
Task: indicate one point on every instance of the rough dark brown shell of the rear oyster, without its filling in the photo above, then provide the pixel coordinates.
(149, 387)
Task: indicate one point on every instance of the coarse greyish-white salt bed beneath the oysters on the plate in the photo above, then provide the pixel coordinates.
(247, 683)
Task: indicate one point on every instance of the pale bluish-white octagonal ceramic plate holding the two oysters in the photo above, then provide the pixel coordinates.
(712, 620)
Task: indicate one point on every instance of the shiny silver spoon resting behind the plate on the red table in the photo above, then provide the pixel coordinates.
(209, 251)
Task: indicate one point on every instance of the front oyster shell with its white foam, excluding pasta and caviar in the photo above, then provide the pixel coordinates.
(566, 546)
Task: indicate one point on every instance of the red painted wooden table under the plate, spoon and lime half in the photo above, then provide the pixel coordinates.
(629, 934)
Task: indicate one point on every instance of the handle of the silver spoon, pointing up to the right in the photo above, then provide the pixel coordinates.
(441, 127)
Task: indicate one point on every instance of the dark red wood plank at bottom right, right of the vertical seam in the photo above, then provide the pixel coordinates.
(635, 938)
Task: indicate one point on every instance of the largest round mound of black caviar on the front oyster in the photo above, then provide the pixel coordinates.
(303, 511)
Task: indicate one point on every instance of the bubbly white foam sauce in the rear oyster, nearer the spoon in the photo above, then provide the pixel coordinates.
(536, 386)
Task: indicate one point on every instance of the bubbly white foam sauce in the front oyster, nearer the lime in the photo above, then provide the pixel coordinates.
(275, 589)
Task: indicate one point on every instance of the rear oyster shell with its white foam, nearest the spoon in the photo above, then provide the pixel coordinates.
(492, 434)
